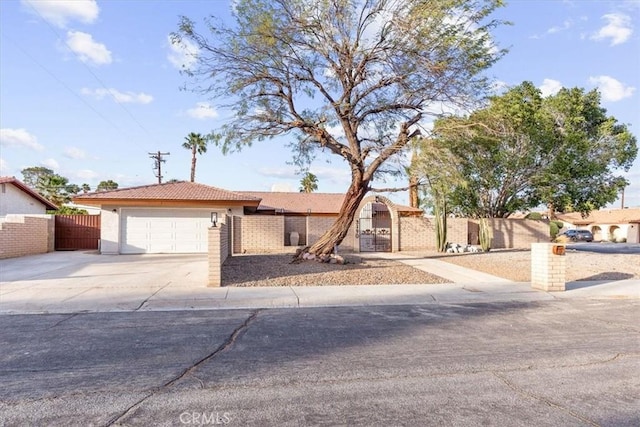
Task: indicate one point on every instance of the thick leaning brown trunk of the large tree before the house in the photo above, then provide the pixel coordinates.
(338, 231)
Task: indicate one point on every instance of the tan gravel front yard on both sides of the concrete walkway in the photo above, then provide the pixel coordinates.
(277, 269)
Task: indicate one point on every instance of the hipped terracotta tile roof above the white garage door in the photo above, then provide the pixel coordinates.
(177, 191)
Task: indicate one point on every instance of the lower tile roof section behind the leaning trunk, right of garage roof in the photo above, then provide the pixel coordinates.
(318, 203)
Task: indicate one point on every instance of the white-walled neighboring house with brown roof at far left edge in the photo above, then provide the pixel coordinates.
(17, 198)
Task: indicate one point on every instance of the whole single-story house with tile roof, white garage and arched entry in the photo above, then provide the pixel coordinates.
(174, 218)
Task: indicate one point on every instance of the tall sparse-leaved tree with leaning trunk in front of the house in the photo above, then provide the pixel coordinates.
(355, 78)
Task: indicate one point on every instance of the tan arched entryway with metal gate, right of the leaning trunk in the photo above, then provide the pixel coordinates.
(375, 226)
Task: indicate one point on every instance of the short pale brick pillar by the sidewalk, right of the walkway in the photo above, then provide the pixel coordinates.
(548, 265)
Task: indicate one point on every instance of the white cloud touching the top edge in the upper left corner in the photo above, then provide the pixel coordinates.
(59, 12)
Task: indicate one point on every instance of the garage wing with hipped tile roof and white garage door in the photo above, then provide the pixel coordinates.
(162, 218)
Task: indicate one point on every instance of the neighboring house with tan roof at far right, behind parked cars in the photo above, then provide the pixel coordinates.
(616, 225)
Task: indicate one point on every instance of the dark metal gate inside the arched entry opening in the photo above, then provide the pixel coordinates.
(374, 228)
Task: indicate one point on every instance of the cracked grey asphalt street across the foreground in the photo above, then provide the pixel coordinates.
(545, 363)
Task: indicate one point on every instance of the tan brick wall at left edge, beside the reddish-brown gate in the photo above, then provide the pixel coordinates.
(26, 235)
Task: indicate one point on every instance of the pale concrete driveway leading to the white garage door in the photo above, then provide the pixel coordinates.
(85, 281)
